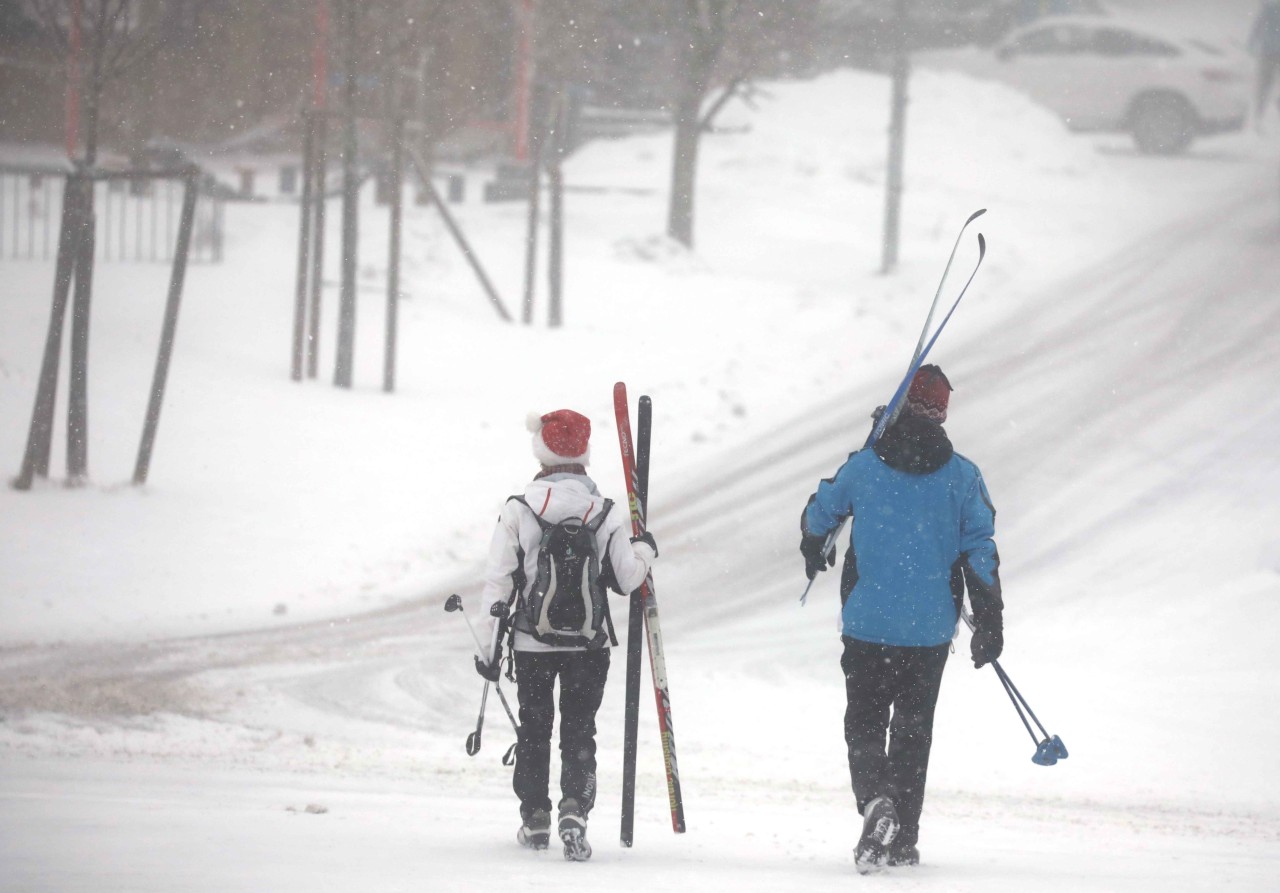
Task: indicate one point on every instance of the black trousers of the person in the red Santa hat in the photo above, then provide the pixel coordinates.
(582, 689)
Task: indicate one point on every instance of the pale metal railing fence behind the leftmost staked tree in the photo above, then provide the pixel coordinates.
(136, 219)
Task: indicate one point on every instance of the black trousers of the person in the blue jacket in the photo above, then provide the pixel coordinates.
(907, 680)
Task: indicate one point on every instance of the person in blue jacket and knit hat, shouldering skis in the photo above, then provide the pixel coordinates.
(924, 529)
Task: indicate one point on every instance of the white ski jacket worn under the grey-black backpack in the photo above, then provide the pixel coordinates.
(555, 498)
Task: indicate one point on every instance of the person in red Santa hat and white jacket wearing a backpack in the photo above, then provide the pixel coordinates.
(561, 491)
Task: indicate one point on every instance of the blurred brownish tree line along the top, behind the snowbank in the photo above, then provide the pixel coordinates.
(218, 72)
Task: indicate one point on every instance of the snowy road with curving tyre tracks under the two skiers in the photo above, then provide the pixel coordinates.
(121, 757)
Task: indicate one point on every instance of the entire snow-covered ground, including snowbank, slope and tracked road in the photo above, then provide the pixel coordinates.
(188, 667)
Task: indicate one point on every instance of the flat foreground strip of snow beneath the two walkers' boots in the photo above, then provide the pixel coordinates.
(145, 828)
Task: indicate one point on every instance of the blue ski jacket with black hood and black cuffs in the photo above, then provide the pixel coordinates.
(924, 528)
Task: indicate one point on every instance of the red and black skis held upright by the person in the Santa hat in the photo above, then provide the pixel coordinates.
(643, 621)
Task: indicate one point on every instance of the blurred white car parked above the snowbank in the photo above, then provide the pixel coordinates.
(1101, 74)
